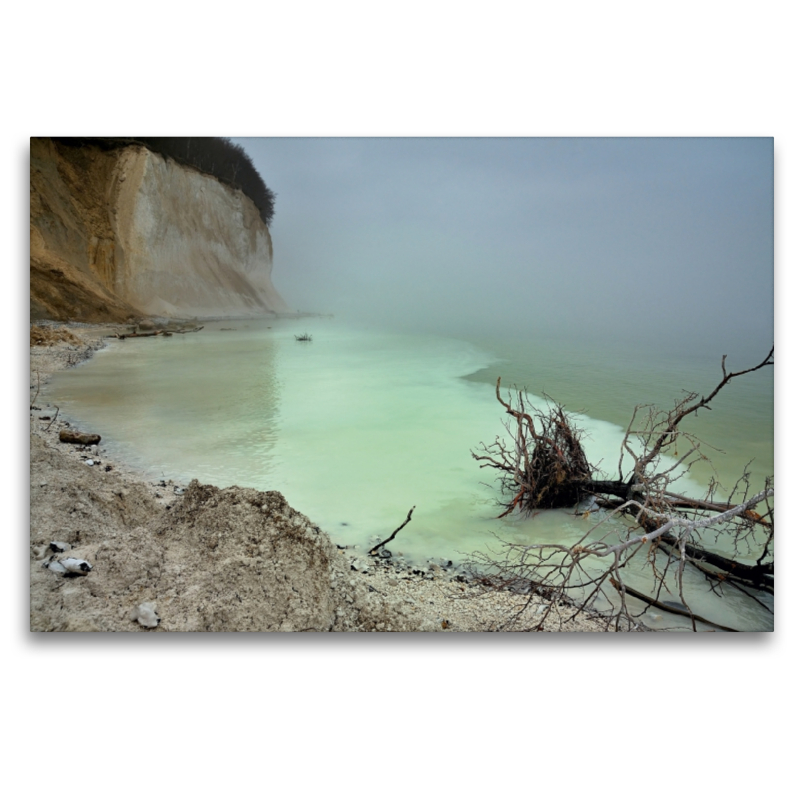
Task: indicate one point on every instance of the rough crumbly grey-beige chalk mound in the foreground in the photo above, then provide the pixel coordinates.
(243, 560)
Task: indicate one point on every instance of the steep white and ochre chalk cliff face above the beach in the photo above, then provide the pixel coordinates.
(124, 233)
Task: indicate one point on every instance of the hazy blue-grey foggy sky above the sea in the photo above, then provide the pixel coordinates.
(628, 237)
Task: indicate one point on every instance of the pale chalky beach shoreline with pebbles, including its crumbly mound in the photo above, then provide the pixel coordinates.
(206, 563)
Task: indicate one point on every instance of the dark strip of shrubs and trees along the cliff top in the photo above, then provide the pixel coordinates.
(209, 154)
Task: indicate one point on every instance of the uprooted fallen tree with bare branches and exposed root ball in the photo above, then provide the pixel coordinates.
(636, 516)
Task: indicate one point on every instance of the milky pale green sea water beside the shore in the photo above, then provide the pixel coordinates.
(359, 425)
